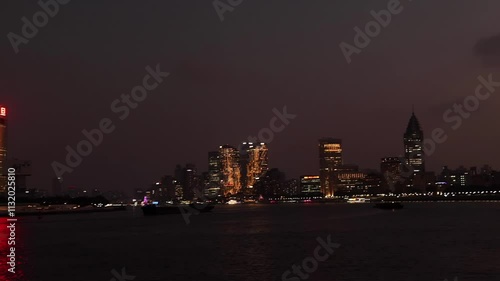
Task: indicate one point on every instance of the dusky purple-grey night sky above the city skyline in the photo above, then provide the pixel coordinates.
(226, 78)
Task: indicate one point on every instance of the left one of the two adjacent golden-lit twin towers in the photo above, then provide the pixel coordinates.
(230, 169)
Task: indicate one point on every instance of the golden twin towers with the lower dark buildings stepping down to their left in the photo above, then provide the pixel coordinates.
(231, 171)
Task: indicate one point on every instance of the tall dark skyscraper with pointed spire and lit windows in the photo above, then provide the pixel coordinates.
(414, 144)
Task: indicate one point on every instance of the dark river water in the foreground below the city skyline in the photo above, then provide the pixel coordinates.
(425, 241)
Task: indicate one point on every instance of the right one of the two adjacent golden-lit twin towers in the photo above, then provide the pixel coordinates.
(254, 163)
